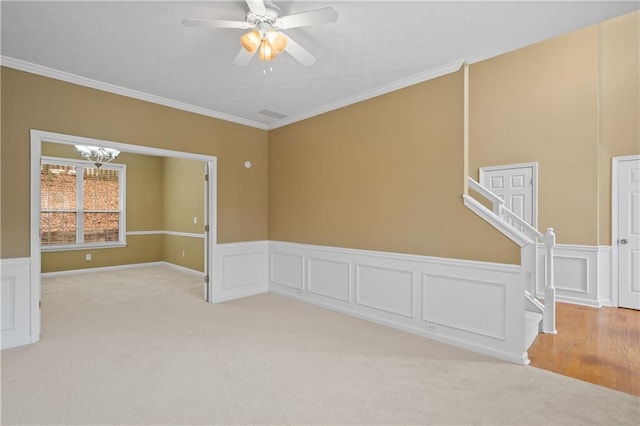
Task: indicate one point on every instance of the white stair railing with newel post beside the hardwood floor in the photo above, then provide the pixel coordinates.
(524, 235)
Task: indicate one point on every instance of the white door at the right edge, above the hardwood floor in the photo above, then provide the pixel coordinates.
(628, 238)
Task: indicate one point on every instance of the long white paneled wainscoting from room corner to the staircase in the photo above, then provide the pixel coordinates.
(474, 305)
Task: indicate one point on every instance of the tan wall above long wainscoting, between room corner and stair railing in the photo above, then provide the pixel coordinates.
(384, 174)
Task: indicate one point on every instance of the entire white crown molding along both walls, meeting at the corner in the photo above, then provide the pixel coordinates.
(341, 103)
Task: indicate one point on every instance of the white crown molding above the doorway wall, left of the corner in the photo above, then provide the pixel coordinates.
(29, 67)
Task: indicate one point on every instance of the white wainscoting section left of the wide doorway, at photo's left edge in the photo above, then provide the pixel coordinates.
(16, 302)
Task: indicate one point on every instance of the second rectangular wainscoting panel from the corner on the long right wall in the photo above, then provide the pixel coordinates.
(329, 278)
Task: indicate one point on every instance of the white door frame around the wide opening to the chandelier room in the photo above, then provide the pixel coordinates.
(40, 136)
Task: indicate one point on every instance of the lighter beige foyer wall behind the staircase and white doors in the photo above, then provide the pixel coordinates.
(571, 104)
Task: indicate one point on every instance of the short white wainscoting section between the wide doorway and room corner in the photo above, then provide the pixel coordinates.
(240, 270)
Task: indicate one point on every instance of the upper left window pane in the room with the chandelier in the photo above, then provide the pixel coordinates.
(57, 187)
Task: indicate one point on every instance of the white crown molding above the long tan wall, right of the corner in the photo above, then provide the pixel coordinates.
(372, 93)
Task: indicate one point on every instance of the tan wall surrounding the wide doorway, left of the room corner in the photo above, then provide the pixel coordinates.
(35, 102)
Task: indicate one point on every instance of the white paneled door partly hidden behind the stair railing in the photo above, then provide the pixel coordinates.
(516, 185)
